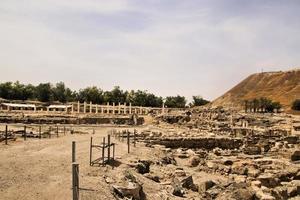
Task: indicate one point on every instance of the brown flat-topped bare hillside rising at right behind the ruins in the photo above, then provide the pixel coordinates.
(278, 86)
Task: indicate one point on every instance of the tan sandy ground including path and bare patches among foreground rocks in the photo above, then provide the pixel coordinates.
(41, 168)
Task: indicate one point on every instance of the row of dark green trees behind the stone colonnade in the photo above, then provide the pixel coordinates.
(47, 92)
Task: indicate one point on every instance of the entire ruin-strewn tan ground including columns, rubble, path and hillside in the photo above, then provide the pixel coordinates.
(229, 149)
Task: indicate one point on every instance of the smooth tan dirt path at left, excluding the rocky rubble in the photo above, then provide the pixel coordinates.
(41, 169)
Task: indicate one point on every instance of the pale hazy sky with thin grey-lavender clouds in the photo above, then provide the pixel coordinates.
(167, 47)
